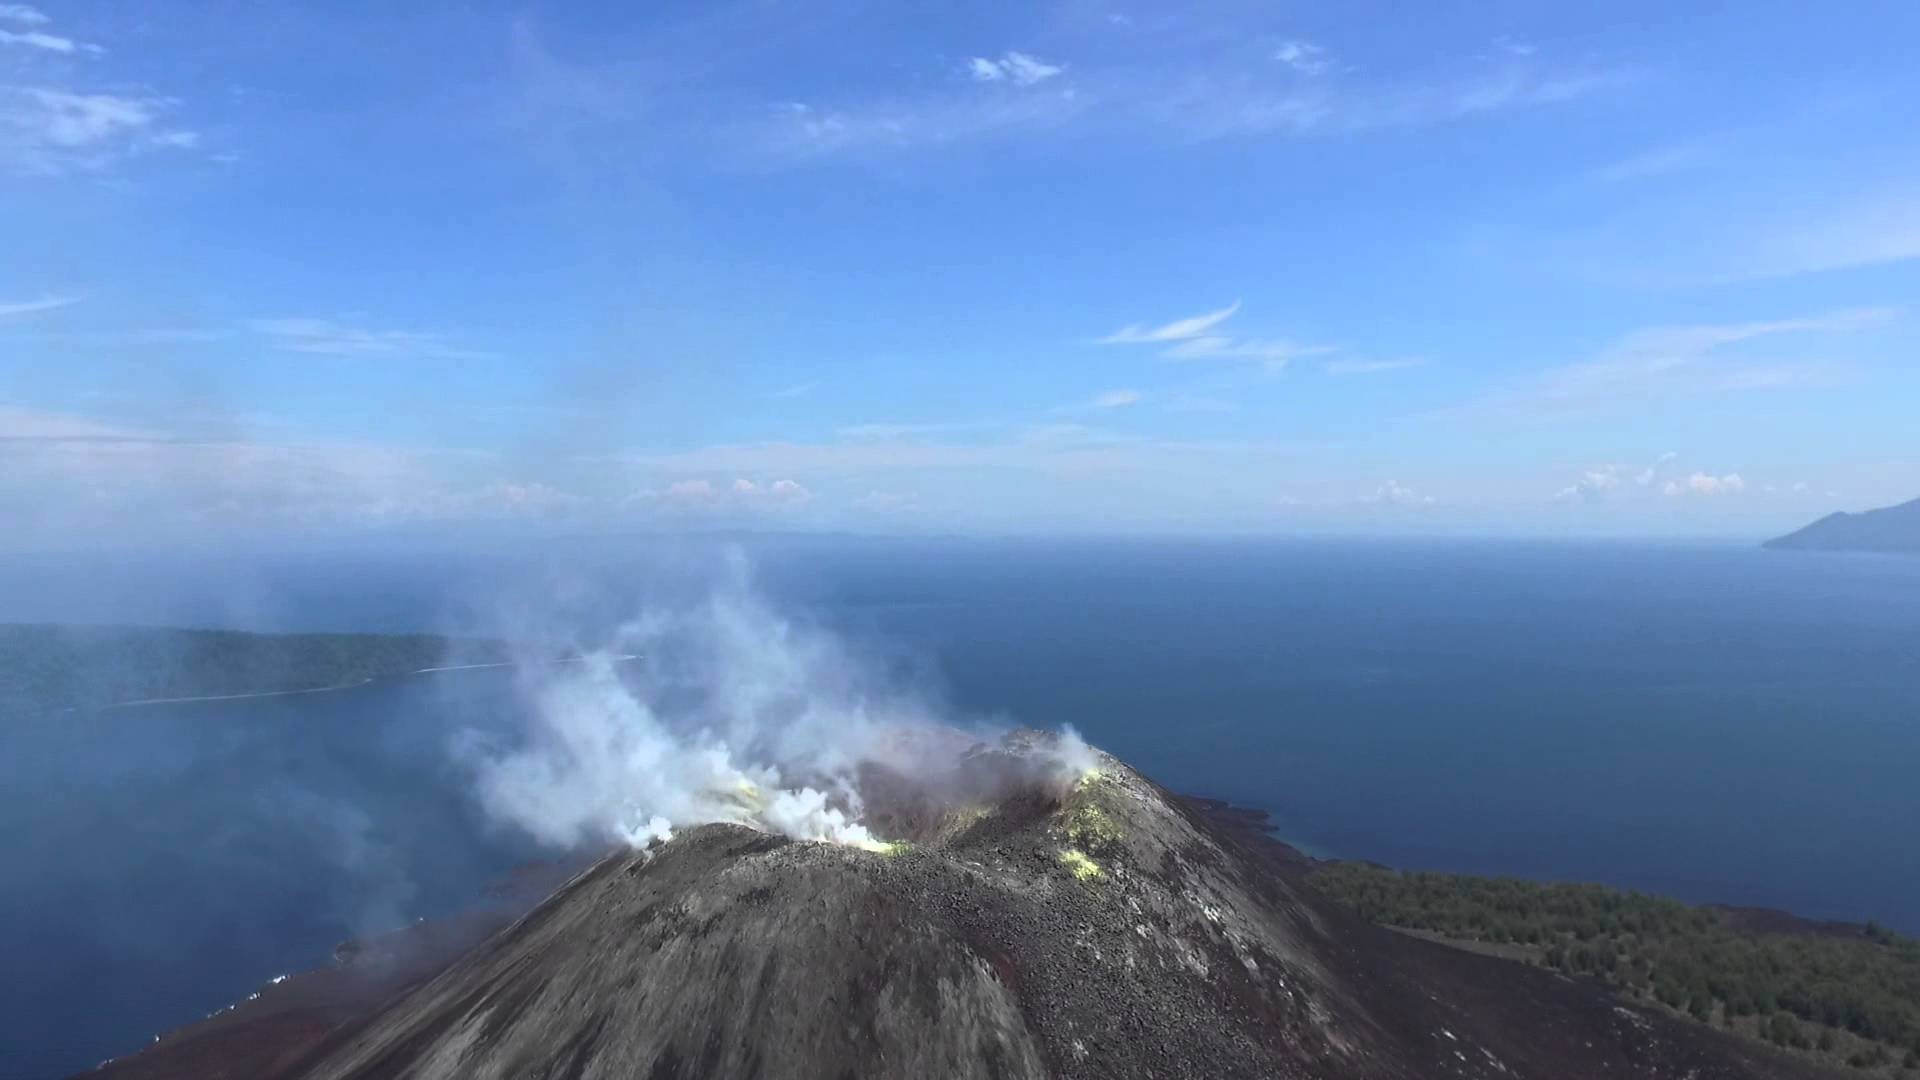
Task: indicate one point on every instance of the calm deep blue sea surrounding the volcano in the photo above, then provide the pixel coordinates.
(1706, 722)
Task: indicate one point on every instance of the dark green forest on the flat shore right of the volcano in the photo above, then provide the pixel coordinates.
(1848, 994)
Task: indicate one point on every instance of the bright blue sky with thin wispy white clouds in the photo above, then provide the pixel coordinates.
(898, 268)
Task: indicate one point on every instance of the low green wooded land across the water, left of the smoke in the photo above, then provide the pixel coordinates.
(76, 668)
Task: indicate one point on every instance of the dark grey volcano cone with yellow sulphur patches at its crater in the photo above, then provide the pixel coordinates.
(1017, 925)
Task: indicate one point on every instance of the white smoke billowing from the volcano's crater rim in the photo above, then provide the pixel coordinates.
(721, 712)
